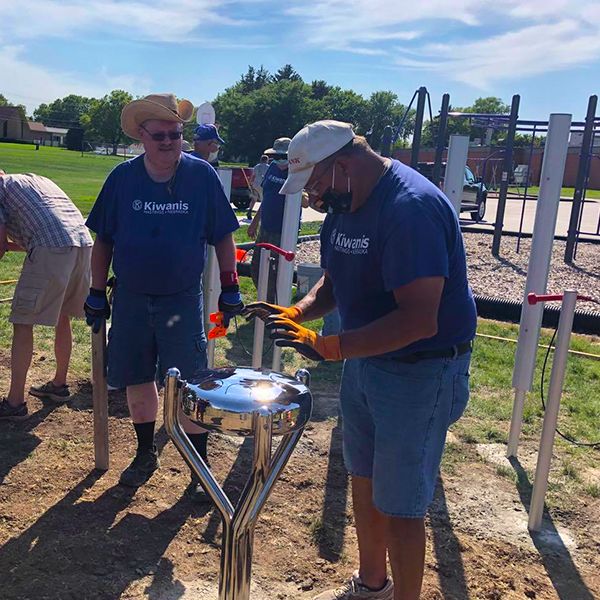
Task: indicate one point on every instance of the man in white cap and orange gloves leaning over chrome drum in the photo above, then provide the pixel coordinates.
(394, 265)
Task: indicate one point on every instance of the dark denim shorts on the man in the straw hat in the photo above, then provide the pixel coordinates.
(151, 334)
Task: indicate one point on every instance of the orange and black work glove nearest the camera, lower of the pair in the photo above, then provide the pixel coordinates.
(286, 332)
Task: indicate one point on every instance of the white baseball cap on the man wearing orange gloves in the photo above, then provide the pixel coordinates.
(311, 145)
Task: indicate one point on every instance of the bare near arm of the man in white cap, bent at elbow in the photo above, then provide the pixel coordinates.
(414, 319)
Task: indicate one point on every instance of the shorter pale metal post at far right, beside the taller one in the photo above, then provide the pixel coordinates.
(563, 338)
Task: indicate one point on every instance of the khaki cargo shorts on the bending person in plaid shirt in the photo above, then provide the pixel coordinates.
(53, 282)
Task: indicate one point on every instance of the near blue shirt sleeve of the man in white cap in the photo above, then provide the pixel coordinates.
(414, 246)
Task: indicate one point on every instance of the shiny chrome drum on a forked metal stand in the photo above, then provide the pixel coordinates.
(241, 402)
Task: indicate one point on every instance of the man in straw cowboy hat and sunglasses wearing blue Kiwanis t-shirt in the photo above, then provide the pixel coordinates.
(153, 219)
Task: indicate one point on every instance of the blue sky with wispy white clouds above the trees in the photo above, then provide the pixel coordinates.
(546, 50)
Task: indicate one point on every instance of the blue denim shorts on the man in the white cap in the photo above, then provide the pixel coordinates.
(395, 419)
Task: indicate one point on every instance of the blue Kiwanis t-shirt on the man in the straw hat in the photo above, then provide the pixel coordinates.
(160, 234)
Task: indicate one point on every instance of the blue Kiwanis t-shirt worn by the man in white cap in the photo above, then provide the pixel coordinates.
(406, 230)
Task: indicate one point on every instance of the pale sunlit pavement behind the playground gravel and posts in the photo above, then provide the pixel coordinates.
(512, 215)
